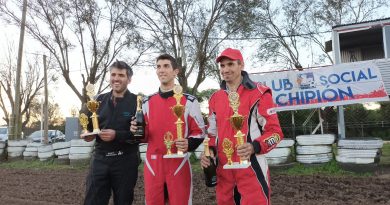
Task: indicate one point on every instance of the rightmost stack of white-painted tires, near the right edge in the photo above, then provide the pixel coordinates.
(359, 151)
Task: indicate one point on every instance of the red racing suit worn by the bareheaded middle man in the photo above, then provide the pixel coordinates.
(175, 173)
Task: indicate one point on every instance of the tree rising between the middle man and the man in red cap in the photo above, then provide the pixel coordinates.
(193, 30)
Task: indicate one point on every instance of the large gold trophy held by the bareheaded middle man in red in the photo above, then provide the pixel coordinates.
(178, 111)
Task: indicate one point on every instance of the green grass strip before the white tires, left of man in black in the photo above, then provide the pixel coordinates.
(38, 165)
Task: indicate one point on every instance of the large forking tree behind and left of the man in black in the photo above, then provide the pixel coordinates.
(100, 29)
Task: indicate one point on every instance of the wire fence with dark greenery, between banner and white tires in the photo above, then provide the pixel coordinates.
(360, 121)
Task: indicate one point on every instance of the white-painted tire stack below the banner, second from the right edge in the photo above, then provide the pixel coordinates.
(314, 149)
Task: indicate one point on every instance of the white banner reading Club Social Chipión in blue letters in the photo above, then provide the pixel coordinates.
(340, 84)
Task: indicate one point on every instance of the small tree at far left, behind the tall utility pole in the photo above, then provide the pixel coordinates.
(31, 85)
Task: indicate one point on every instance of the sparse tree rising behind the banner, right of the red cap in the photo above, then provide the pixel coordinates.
(295, 30)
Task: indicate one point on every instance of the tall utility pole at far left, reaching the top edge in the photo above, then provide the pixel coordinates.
(15, 121)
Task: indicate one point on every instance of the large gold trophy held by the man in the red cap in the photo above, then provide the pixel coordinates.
(237, 121)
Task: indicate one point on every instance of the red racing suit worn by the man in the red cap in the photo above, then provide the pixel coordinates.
(261, 128)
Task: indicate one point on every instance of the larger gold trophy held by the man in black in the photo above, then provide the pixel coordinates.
(92, 106)
